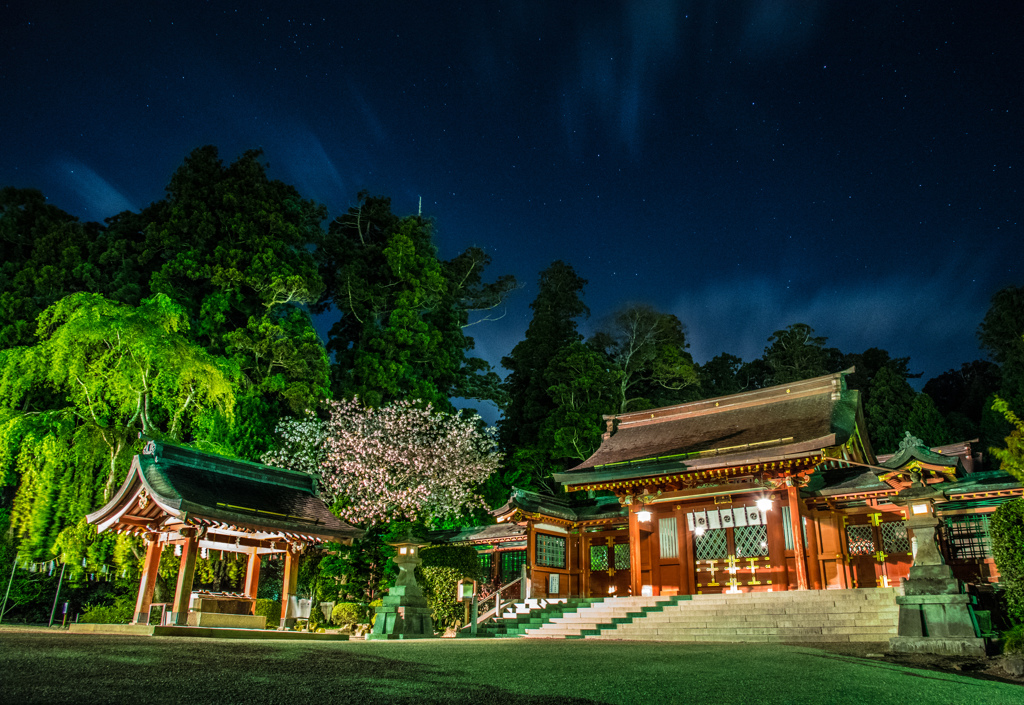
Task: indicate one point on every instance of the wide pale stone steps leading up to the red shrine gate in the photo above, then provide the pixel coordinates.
(805, 616)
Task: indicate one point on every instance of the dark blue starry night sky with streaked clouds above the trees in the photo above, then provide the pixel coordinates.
(857, 167)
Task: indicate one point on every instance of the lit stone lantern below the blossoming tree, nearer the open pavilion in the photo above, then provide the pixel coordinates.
(405, 613)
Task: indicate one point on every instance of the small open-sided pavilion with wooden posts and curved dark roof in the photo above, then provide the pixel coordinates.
(198, 503)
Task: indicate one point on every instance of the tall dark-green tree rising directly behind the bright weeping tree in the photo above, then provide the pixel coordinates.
(234, 248)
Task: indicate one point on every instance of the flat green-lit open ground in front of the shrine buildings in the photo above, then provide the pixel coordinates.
(58, 668)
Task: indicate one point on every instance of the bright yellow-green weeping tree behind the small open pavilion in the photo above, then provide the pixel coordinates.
(72, 408)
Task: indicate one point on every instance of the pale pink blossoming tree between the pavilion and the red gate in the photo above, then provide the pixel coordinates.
(399, 462)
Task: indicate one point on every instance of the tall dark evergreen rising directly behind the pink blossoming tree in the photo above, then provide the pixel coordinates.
(404, 311)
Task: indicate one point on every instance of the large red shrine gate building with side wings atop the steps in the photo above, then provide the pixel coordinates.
(775, 489)
